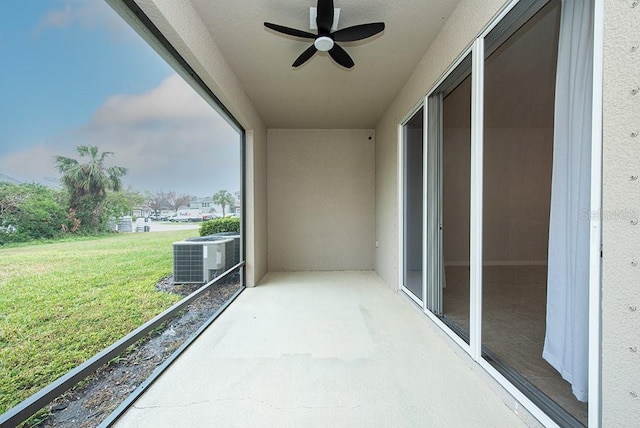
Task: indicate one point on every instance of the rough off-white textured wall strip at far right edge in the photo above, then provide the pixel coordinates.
(621, 209)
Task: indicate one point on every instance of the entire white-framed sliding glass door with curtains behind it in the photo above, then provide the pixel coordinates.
(493, 244)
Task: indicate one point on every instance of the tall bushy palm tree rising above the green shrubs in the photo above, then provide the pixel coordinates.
(88, 183)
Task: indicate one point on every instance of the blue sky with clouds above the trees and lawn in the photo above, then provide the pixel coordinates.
(74, 73)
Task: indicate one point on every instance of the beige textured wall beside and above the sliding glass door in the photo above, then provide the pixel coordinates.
(464, 24)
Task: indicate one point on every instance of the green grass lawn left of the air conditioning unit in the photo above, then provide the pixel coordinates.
(61, 303)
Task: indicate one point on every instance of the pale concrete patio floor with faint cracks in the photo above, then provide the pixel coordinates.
(309, 349)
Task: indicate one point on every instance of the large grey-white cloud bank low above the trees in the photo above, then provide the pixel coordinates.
(169, 139)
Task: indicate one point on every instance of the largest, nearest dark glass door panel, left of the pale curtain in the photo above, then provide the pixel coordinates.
(519, 103)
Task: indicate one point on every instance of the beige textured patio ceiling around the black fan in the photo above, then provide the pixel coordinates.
(321, 94)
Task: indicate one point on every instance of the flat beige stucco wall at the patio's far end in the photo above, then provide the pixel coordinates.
(321, 199)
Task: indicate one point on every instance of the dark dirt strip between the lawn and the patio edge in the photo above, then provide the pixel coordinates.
(88, 405)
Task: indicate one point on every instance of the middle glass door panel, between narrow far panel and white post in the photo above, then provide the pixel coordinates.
(449, 194)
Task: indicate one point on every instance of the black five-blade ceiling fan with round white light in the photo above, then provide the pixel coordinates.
(325, 40)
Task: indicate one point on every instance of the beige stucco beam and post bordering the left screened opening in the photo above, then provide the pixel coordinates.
(184, 29)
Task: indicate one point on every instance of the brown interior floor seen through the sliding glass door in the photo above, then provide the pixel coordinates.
(513, 324)
